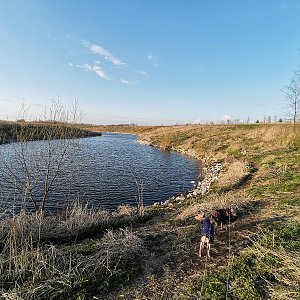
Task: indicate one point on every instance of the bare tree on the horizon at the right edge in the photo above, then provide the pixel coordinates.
(292, 95)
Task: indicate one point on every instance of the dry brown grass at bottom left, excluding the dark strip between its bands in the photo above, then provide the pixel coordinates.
(52, 269)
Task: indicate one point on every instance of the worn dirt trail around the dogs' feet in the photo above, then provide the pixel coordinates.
(168, 245)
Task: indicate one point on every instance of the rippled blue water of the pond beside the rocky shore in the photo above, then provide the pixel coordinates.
(106, 169)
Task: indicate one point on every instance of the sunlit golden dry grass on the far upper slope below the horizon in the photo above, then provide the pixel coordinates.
(220, 141)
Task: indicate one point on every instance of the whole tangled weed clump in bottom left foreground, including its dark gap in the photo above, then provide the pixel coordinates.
(39, 259)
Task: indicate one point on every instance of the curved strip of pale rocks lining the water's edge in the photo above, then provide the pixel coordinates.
(210, 170)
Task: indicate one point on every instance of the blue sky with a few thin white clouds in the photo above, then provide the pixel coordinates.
(148, 62)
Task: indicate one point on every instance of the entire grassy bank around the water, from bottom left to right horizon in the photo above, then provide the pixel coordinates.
(122, 255)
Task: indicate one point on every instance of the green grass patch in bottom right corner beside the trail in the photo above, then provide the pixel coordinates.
(249, 275)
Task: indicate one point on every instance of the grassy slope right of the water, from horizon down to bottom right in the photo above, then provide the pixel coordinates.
(262, 172)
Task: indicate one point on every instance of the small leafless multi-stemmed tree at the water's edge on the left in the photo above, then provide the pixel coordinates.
(35, 169)
